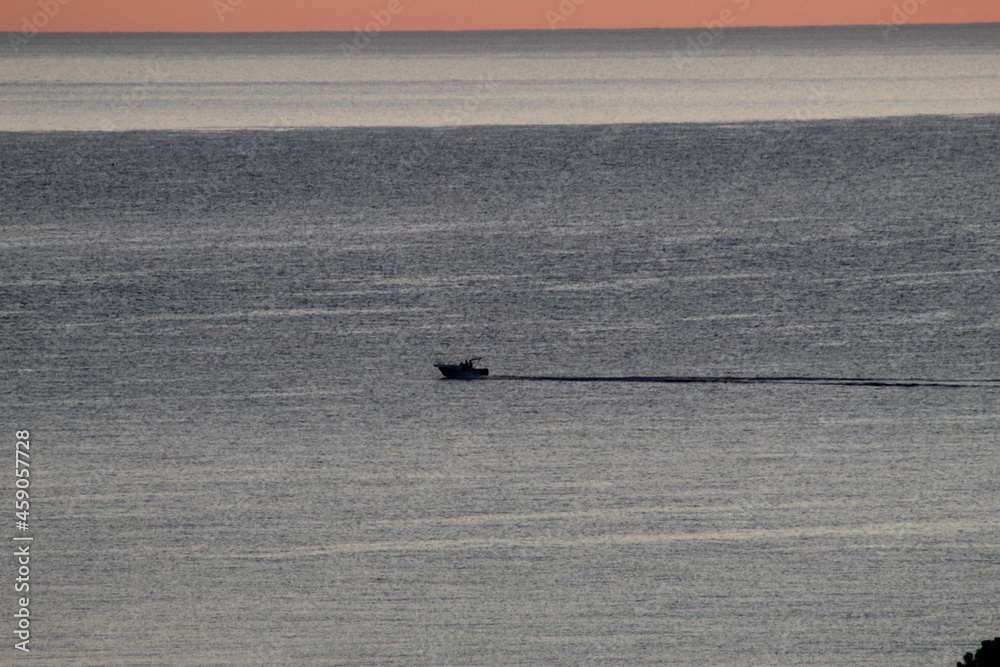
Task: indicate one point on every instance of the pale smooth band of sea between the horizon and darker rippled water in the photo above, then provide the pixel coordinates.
(151, 81)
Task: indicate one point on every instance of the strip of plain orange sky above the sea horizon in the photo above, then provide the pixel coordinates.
(323, 15)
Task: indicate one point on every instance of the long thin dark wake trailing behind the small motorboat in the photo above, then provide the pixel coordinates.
(854, 382)
